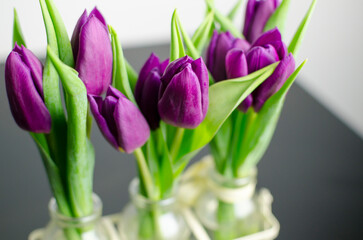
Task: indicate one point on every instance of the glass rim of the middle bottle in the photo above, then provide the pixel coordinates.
(144, 202)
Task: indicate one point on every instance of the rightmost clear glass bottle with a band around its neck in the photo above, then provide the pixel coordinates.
(227, 208)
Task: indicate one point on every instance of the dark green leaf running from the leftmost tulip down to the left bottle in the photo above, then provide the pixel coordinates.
(53, 173)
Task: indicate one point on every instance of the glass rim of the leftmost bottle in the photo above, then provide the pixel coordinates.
(74, 222)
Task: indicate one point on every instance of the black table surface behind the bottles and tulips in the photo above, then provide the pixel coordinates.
(313, 168)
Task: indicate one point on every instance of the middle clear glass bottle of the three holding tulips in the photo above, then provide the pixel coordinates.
(144, 219)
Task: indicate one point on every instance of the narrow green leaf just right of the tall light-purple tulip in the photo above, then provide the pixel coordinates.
(119, 73)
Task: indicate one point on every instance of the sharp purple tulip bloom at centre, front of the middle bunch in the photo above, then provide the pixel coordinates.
(183, 95)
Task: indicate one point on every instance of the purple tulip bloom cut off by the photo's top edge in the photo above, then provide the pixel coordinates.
(258, 13)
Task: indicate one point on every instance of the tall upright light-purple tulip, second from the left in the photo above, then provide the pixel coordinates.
(93, 52)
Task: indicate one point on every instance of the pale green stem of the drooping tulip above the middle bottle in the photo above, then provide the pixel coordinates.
(145, 173)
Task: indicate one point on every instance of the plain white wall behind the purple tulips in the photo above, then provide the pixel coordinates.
(333, 42)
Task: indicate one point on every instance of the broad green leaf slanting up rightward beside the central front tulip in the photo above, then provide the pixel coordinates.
(224, 98)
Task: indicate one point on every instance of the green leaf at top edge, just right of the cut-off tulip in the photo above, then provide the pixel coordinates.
(278, 18)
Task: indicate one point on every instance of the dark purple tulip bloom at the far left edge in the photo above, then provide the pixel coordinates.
(23, 78)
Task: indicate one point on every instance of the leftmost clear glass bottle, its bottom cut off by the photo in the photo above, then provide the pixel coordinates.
(90, 227)
